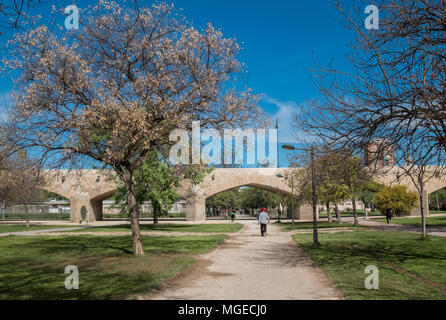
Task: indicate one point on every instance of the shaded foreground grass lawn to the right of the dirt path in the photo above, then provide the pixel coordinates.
(409, 268)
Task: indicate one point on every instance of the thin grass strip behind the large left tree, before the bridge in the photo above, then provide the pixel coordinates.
(169, 228)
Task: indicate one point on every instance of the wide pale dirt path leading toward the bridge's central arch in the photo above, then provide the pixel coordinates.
(250, 267)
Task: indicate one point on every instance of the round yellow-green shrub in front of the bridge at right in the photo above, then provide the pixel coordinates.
(398, 198)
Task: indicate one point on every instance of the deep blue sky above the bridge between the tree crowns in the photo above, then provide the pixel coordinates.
(281, 40)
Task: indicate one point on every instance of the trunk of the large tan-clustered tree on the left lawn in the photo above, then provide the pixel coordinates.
(133, 213)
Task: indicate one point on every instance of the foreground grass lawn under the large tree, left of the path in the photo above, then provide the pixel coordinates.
(33, 267)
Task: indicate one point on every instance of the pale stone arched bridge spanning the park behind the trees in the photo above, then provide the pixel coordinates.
(90, 187)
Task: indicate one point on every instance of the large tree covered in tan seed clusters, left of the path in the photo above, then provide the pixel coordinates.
(129, 76)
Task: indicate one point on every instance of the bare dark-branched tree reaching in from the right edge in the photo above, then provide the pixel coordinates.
(396, 94)
